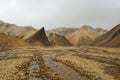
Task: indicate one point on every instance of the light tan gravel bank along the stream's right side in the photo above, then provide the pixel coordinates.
(92, 69)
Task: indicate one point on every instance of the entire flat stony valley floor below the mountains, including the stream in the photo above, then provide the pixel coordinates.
(60, 63)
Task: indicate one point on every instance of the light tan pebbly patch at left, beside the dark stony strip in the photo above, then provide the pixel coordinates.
(9, 70)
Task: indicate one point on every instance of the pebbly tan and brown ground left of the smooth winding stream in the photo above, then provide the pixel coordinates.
(24, 65)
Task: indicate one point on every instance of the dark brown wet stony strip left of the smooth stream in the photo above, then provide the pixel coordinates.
(36, 69)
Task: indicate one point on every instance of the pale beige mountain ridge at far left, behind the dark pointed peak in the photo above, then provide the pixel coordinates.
(22, 32)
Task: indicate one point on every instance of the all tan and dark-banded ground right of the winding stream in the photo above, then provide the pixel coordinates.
(96, 66)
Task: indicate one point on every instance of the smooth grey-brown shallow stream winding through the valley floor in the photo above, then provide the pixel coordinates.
(63, 71)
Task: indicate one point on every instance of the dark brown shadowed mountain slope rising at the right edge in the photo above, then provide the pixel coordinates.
(110, 39)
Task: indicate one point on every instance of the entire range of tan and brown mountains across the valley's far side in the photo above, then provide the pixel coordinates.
(86, 35)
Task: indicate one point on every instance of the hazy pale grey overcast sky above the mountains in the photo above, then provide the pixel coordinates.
(61, 13)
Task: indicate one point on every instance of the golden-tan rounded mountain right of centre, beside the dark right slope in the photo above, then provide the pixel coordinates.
(83, 36)
